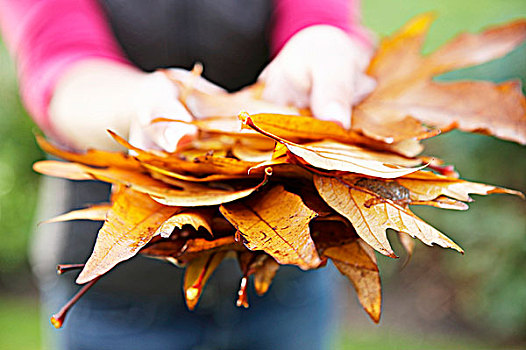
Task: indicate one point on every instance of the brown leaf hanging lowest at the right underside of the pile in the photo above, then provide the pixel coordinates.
(354, 261)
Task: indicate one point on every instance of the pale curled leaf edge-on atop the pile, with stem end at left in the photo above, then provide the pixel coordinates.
(346, 158)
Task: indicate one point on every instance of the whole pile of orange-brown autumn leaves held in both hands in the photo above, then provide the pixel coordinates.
(272, 189)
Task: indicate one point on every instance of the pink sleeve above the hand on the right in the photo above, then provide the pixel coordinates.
(291, 16)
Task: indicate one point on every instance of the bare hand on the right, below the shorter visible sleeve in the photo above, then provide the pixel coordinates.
(320, 67)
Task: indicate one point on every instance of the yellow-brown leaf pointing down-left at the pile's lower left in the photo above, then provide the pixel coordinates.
(130, 224)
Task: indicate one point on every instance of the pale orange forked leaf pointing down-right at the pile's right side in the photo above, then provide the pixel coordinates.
(371, 221)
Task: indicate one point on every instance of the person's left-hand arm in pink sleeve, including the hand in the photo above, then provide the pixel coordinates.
(75, 81)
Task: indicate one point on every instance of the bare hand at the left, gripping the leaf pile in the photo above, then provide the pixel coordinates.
(96, 95)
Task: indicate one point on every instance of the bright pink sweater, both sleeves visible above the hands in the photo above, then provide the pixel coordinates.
(47, 36)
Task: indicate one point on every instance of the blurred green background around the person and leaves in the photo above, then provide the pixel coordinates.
(441, 300)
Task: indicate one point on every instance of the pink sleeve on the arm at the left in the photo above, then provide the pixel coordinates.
(46, 37)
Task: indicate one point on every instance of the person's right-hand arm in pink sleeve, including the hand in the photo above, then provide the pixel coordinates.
(321, 52)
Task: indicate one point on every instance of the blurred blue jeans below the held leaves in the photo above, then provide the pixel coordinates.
(294, 314)
